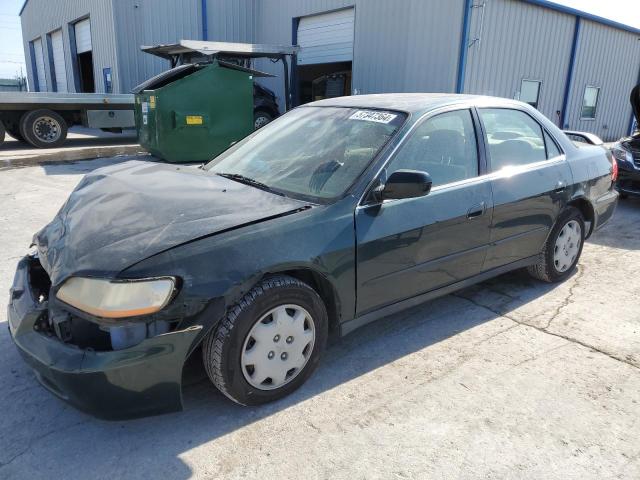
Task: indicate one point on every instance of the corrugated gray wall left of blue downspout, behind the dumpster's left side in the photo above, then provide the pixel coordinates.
(150, 22)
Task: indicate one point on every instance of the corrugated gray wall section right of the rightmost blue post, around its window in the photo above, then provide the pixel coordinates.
(607, 58)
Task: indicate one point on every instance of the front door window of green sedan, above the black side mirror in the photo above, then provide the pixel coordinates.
(444, 146)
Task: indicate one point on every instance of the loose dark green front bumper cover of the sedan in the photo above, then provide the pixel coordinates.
(137, 381)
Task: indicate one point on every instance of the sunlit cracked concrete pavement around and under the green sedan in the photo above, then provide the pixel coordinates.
(512, 378)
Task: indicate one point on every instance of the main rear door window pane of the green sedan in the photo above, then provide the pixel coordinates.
(513, 137)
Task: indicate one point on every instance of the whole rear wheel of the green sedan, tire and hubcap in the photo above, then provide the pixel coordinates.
(562, 249)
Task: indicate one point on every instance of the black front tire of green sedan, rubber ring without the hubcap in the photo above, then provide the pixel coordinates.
(222, 348)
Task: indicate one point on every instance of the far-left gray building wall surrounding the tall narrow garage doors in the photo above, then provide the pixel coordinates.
(43, 16)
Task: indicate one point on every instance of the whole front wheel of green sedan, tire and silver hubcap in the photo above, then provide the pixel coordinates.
(269, 343)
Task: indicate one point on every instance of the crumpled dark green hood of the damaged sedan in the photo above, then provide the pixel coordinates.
(122, 214)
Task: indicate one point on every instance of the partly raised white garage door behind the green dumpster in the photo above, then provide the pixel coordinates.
(326, 38)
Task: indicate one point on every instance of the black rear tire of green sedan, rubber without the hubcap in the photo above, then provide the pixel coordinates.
(545, 268)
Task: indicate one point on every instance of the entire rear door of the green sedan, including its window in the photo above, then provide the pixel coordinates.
(530, 176)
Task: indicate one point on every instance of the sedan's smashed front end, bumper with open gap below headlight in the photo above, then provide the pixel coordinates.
(112, 370)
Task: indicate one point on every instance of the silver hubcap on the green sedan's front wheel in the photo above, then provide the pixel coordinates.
(278, 347)
